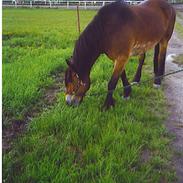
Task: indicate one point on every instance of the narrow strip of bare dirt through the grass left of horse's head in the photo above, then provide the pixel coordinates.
(18, 127)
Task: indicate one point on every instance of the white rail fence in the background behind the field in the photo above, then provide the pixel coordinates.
(66, 4)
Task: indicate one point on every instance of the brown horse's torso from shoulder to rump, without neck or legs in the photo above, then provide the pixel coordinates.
(141, 26)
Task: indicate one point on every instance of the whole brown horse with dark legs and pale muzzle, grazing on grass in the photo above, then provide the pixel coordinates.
(120, 31)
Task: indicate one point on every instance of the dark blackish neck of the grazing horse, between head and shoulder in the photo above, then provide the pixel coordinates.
(88, 47)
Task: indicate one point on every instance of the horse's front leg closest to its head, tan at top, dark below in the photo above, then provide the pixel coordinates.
(118, 68)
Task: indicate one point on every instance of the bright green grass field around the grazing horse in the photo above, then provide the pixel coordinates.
(127, 144)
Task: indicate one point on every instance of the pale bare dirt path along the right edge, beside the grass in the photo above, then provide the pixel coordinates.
(174, 94)
